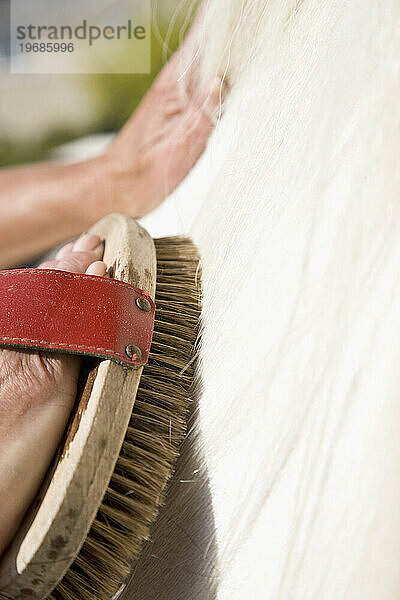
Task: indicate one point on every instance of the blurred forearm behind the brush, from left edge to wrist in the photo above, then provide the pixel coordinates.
(42, 205)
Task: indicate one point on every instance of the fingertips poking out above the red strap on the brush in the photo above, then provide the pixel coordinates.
(81, 256)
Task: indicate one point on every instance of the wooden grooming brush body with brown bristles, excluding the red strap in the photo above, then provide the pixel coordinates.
(95, 508)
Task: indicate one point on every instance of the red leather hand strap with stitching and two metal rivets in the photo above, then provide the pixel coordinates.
(75, 313)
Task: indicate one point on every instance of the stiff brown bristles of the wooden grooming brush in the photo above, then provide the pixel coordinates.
(158, 424)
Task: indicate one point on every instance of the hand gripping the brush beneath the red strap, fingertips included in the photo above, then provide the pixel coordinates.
(37, 393)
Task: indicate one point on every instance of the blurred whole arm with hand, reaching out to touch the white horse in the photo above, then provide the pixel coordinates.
(43, 205)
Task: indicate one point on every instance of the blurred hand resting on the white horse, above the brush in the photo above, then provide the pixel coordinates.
(164, 138)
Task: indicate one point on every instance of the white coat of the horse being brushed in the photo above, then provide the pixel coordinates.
(297, 218)
